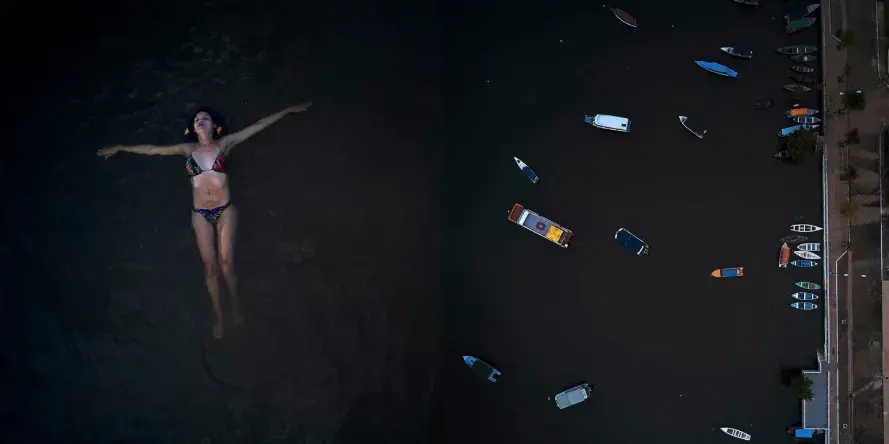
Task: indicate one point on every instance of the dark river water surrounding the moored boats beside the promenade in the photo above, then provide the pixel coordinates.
(674, 353)
